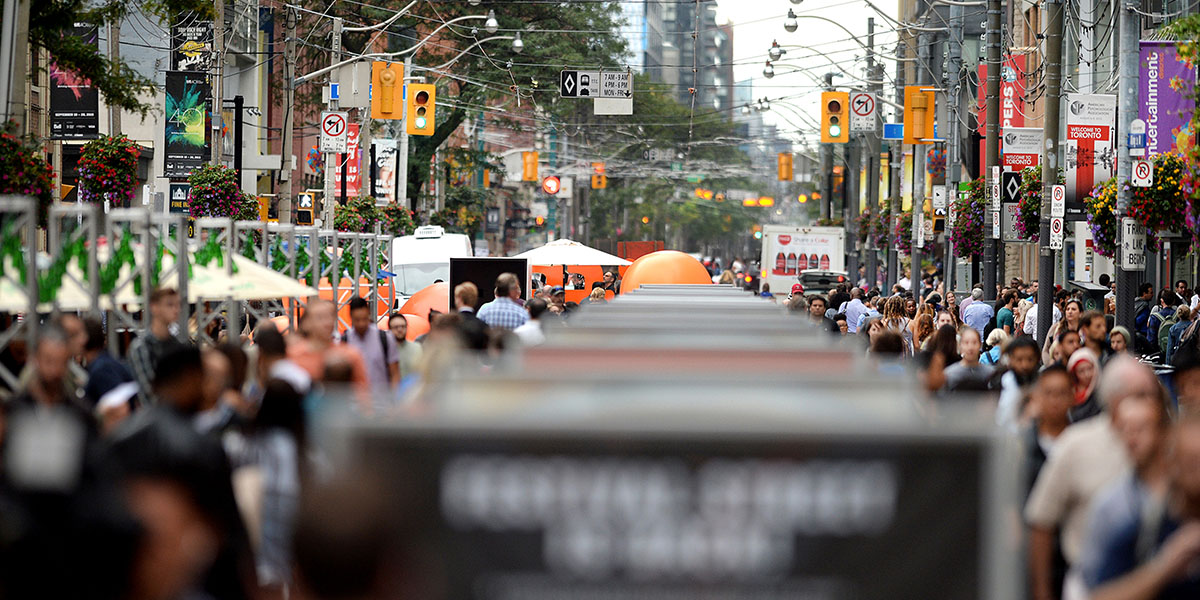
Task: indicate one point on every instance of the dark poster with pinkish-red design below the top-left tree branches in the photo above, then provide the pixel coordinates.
(75, 103)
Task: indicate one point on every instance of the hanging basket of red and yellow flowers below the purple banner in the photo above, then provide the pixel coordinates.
(1163, 207)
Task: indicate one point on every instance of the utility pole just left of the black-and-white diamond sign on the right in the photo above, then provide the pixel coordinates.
(993, 249)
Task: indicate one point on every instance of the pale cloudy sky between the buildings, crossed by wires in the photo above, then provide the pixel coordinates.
(794, 92)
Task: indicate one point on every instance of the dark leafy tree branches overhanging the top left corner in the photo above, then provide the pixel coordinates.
(52, 27)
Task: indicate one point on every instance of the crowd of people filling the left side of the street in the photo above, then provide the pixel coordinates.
(178, 470)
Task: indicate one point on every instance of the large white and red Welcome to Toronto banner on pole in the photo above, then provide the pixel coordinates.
(1091, 157)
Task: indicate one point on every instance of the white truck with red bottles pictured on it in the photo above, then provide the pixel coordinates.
(789, 251)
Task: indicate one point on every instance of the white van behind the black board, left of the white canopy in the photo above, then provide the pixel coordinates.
(424, 257)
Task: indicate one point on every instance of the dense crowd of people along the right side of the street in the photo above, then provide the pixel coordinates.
(1112, 451)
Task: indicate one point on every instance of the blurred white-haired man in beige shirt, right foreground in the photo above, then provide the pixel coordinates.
(1087, 459)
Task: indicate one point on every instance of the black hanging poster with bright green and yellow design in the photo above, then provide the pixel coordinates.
(187, 123)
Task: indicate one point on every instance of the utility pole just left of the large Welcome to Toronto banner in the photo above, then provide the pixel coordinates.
(1051, 166)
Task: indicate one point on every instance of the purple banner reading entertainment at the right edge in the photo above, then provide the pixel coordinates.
(1163, 85)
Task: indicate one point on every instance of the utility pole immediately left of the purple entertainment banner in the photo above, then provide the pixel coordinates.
(1127, 112)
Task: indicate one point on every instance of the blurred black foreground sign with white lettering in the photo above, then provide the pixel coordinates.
(621, 508)
